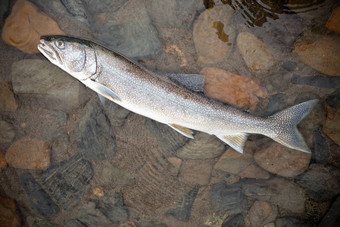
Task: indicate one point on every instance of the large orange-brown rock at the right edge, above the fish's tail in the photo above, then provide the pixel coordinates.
(322, 54)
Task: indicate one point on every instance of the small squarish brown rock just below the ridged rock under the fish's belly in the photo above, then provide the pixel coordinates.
(196, 171)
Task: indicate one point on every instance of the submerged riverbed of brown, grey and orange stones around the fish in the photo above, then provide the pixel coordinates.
(68, 160)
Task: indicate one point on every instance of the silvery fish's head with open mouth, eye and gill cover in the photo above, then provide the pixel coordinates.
(75, 56)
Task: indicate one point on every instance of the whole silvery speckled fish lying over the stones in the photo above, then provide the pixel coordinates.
(149, 94)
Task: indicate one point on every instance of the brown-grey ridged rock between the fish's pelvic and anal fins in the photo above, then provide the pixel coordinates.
(204, 146)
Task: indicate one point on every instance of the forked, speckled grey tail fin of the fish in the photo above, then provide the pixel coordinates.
(285, 125)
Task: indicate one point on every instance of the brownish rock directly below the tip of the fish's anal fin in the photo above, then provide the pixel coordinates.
(234, 162)
